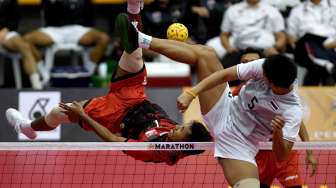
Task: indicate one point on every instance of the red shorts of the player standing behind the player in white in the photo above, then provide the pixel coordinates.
(287, 172)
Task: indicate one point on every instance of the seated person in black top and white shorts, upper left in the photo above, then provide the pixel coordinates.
(68, 22)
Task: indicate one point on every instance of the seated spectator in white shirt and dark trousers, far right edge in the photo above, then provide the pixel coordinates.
(312, 33)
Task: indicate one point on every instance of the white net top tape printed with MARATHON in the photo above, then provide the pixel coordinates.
(96, 146)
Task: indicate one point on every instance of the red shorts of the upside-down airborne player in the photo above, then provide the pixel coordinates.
(125, 93)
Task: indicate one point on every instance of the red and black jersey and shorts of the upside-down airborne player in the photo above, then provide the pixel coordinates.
(143, 121)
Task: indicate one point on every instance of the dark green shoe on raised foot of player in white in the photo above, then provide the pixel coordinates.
(127, 32)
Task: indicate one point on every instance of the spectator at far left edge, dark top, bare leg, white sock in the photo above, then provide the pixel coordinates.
(11, 41)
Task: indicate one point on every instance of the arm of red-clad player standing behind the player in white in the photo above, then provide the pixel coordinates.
(310, 159)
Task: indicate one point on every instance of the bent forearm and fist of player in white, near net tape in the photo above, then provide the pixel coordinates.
(280, 146)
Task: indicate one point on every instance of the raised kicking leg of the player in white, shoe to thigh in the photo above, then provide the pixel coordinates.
(203, 58)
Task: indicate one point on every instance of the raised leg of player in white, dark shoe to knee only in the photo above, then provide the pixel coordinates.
(131, 39)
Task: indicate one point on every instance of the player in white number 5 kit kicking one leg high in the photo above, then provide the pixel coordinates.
(267, 105)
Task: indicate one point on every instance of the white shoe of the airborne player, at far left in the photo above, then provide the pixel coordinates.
(16, 119)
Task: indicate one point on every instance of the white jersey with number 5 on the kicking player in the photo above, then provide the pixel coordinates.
(256, 105)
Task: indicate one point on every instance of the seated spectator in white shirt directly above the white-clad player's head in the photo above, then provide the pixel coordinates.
(260, 26)
